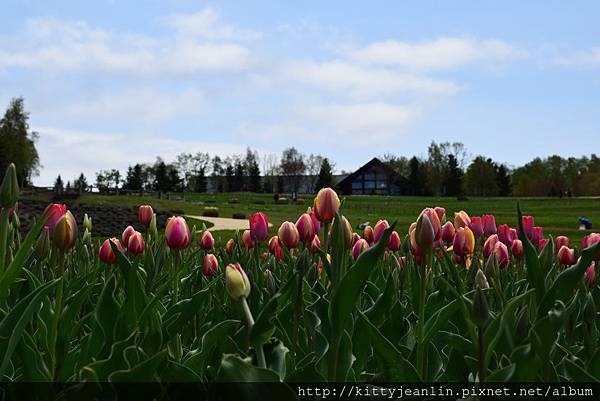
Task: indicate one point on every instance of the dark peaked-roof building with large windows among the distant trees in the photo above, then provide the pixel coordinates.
(374, 178)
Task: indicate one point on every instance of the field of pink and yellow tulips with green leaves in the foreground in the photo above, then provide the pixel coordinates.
(452, 297)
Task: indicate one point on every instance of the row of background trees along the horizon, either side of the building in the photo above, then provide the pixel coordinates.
(447, 170)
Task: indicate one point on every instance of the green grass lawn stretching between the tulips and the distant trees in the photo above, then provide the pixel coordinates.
(557, 216)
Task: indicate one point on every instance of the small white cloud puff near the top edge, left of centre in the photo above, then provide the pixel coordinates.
(207, 24)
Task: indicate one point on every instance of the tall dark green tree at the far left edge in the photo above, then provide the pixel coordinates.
(17, 143)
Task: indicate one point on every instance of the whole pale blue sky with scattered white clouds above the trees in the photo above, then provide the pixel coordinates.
(110, 83)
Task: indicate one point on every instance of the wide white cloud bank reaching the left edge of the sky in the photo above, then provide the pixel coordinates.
(53, 44)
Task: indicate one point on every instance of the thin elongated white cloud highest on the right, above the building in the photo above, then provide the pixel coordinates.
(440, 54)
